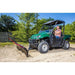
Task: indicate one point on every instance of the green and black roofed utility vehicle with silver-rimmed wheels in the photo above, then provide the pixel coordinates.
(45, 39)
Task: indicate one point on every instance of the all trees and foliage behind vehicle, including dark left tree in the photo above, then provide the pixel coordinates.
(28, 25)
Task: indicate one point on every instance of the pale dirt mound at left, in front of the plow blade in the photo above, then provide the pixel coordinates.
(10, 53)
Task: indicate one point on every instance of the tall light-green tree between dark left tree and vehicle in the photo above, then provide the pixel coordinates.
(27, 20)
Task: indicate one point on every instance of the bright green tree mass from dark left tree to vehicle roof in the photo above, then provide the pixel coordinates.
(28, 25)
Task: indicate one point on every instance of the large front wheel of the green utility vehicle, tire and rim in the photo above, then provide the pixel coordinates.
(43, 47)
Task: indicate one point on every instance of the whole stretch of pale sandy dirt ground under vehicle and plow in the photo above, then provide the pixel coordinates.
(11, 54)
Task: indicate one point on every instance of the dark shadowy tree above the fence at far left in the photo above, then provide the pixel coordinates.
(7, 23)
